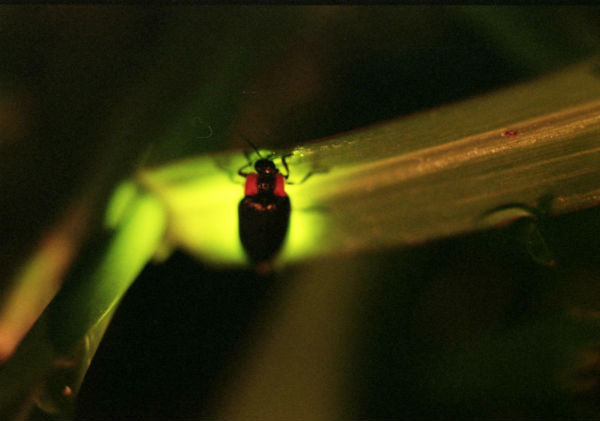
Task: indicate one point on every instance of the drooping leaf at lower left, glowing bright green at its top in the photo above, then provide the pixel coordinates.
(48, 367)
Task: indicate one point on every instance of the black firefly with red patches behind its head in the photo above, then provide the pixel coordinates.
(264, 212)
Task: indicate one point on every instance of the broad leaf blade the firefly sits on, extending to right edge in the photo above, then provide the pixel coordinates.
(411, 180)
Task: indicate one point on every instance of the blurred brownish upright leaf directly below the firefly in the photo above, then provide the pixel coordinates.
(296, 365)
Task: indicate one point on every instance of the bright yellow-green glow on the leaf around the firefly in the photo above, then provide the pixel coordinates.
(202, 201)
